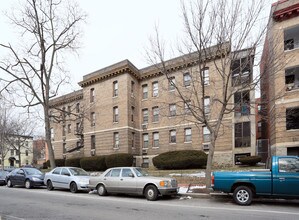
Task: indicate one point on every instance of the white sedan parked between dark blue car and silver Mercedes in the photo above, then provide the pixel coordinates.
(72, 178)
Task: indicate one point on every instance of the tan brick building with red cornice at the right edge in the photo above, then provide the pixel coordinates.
(280, 79)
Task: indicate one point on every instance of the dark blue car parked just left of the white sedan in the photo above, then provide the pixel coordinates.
(28, 177)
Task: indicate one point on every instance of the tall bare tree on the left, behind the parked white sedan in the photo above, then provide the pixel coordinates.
(34, 69)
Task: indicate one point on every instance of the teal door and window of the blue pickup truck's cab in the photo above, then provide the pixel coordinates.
(286, 181)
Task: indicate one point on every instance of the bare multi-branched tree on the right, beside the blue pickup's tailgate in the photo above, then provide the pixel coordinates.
(226, 34)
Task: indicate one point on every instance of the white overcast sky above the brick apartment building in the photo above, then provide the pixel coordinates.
(115, 30)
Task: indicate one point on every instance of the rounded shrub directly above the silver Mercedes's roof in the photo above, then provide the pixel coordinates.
(119, 160)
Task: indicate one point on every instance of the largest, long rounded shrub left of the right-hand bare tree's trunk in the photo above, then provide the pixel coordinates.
(183, 159)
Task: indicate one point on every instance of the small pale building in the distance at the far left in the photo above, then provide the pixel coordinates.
(21, 153)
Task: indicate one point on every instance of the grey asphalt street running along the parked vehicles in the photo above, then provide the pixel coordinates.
(20, 203)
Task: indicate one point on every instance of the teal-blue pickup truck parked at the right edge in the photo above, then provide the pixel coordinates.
(280, 179)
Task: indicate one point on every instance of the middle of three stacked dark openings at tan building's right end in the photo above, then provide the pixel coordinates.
(242, 103)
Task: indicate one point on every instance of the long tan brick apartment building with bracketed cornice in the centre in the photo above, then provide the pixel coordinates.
(121, 109)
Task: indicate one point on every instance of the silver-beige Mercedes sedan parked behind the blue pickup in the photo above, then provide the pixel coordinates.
(133, 180)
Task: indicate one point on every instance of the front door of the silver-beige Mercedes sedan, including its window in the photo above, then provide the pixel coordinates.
(127, 181)
